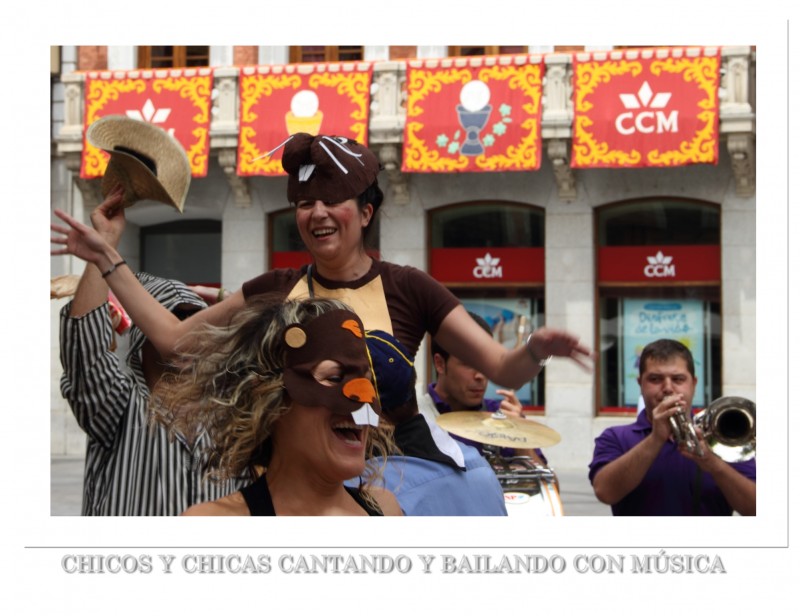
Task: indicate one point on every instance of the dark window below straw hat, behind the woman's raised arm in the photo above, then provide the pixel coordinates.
(189, 251)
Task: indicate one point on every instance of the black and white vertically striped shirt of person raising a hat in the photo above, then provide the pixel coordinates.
(132, 468)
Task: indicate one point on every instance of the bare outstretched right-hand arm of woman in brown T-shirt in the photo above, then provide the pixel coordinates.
(465, 339)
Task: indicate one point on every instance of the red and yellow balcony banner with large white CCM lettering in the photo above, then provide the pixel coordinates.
(646, 108)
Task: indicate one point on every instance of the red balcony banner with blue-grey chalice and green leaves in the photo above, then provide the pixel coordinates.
(473, 114)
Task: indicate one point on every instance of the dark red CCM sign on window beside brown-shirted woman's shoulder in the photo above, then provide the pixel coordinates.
(487, 265)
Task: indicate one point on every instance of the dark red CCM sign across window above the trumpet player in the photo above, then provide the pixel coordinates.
(659, 264)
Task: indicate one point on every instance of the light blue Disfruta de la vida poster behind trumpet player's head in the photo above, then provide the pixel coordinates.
(647, 320)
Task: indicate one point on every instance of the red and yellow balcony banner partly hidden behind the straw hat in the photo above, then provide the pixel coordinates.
(177, 100)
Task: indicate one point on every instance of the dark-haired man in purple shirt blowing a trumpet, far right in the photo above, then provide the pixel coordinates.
(640, 469)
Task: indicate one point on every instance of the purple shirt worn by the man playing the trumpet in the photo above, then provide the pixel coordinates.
(668, 486)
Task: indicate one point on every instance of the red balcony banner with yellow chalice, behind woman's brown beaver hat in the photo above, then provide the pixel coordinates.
(278, 101)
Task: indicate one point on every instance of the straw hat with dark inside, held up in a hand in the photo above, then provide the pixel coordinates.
(145, 159)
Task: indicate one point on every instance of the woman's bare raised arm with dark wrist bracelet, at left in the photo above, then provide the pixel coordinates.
(159, 325)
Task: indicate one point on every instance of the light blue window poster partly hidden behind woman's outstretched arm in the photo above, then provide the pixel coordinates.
(510, 320)
